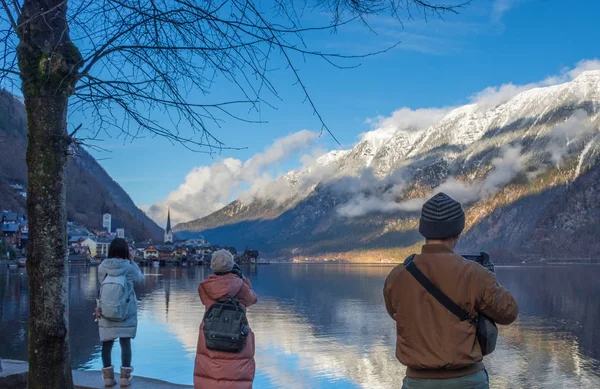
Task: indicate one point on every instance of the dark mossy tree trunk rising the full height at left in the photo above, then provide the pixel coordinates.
(48, 62)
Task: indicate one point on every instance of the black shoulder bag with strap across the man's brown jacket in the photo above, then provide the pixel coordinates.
(486, 330)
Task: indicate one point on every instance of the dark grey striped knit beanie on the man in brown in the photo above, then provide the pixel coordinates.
(441, 217)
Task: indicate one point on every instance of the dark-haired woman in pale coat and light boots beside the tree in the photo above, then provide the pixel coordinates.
(118, 266)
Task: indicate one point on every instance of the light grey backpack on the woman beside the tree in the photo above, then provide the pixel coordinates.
(113, 298)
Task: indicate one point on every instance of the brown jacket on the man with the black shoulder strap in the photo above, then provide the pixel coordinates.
(430, 340)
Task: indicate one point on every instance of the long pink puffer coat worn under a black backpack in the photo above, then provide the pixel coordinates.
(218, 369)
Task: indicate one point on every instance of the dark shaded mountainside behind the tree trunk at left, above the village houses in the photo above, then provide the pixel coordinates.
(90, 190)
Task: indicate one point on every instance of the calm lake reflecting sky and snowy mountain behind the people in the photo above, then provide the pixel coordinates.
(325, 326)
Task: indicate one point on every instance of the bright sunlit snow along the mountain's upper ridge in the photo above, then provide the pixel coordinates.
(385, 149)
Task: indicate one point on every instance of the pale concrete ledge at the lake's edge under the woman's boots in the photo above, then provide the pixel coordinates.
(14, 376)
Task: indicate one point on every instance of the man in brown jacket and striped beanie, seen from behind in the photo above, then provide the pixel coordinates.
(438, 349)
